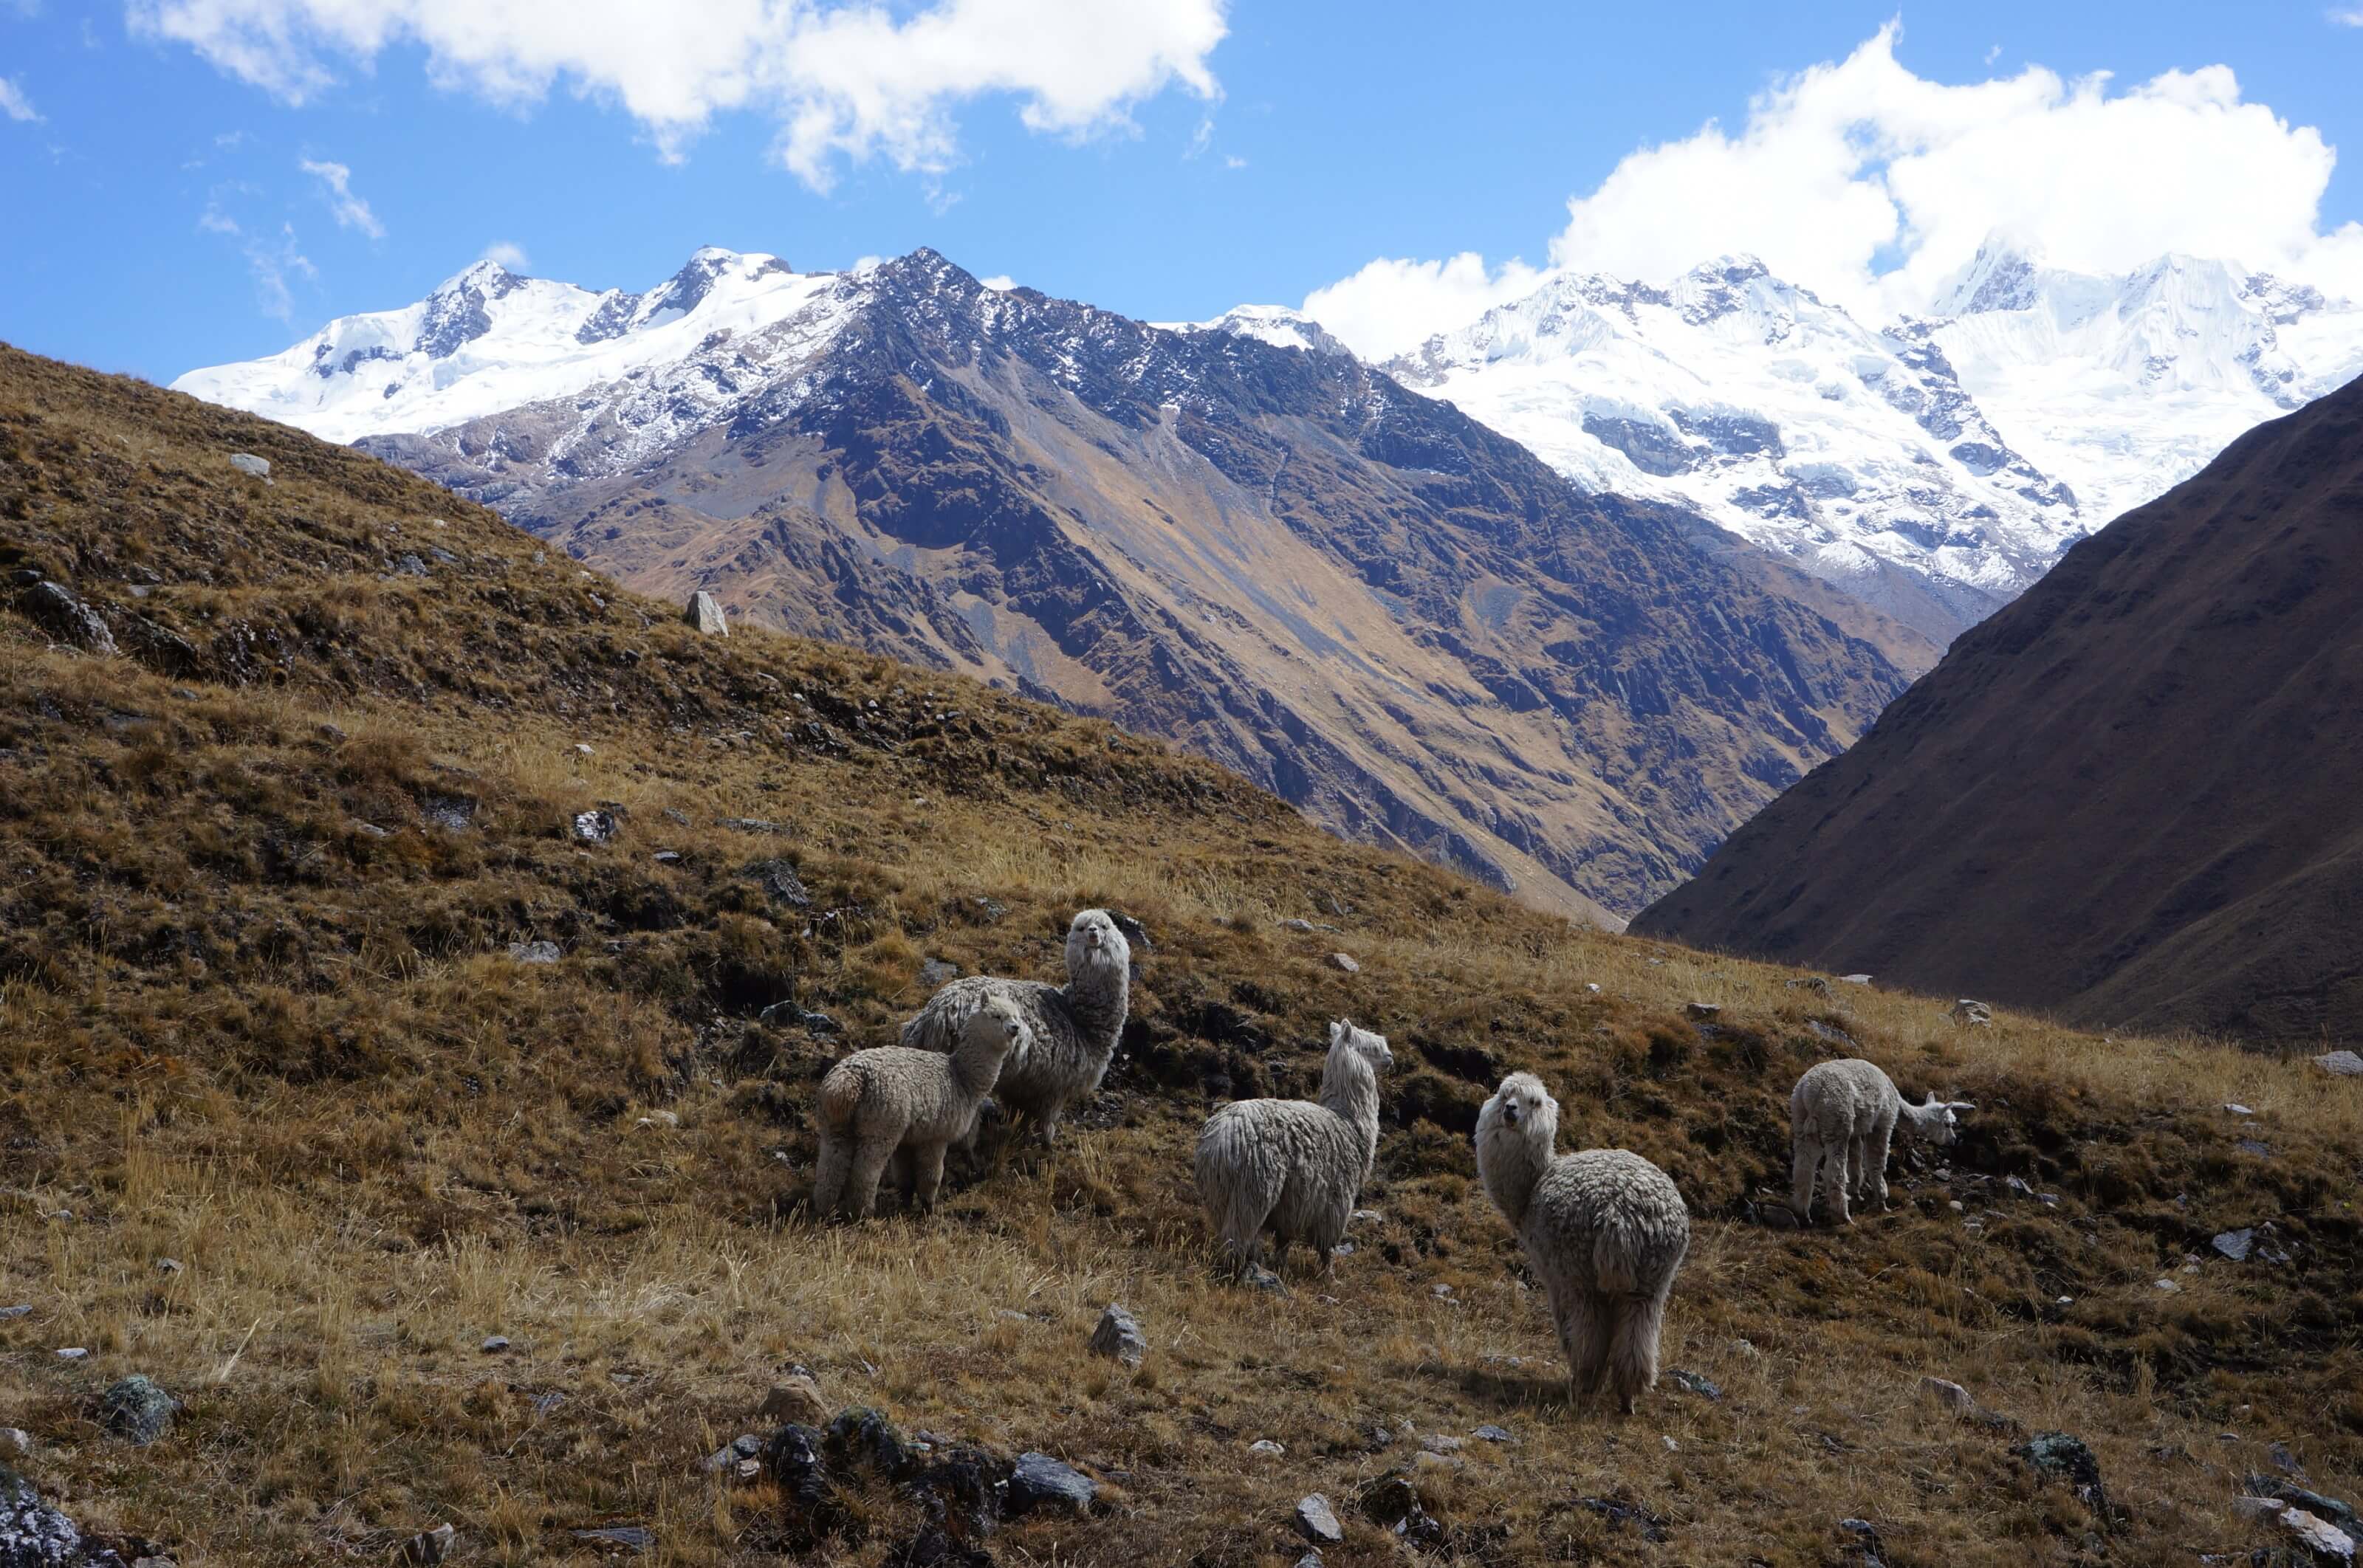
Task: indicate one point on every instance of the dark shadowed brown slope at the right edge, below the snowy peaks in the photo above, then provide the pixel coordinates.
(2133, 797)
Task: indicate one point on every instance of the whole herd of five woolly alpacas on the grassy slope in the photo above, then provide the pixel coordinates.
(1606, 1231)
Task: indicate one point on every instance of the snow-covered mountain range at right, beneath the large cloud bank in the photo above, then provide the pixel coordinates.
(1934, 469)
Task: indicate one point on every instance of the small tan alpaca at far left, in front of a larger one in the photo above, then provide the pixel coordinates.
(894, 1106)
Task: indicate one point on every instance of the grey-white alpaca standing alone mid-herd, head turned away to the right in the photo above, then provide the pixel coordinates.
(1294, 1165)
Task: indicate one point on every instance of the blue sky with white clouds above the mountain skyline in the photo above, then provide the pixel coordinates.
(207, 181)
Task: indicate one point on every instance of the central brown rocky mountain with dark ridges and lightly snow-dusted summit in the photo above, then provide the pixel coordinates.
(1280, 558)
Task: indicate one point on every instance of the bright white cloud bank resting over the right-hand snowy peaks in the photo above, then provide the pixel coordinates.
(1873, 185)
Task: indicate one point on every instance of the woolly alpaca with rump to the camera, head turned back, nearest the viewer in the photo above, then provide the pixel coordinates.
(1606, 1231)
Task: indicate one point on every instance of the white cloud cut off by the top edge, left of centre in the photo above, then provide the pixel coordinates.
(845, 81)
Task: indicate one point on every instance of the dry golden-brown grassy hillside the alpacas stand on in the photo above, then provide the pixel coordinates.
(259, 884)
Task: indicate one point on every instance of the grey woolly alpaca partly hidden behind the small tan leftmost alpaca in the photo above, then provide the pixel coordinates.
(1074, 1028)
